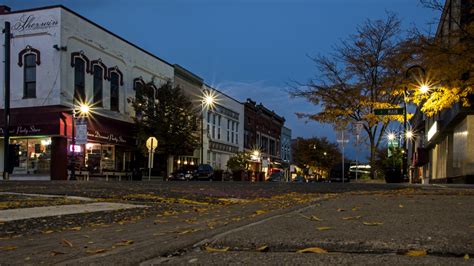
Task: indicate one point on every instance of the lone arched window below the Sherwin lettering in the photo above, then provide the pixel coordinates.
(29, 58)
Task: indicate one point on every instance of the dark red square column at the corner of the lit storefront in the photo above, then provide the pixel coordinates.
(59, 158)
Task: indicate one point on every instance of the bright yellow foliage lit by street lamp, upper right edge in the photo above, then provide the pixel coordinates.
(448, 57)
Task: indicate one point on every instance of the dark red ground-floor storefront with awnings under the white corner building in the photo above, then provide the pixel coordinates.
(40, 139)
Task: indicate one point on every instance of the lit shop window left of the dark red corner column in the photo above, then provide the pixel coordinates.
(34, 156)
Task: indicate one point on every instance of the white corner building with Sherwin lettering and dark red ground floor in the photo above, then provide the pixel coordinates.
(58, 56)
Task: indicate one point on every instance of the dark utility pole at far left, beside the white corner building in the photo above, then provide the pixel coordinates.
(6, 130)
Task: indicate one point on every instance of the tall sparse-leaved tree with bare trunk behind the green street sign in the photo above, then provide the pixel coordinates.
(363, 73)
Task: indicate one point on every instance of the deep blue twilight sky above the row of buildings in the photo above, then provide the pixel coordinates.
(245, 48)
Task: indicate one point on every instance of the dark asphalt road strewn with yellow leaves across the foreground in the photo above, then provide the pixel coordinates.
(246, 223)
